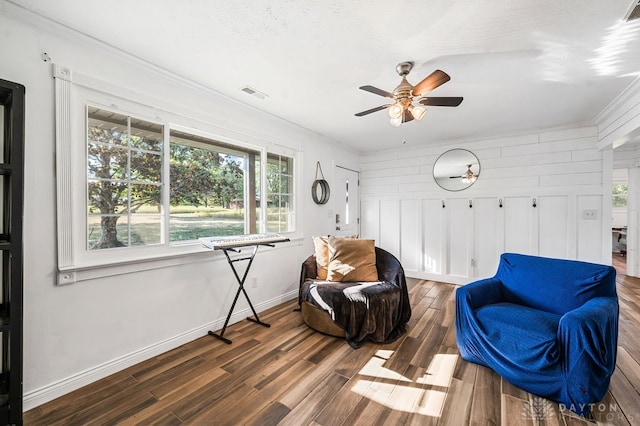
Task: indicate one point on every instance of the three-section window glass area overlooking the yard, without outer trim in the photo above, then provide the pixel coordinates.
(208, 187)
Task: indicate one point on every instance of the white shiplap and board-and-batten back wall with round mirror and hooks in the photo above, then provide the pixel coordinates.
(562, 170)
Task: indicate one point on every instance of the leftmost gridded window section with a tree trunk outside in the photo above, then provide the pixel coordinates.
(124, 169)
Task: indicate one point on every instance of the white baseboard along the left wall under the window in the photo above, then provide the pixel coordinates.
(34, 398)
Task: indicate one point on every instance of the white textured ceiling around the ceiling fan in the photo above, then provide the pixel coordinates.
(519, 64)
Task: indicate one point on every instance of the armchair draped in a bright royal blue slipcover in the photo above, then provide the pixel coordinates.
(548, 326)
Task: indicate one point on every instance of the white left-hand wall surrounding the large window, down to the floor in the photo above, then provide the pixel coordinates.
(78, 333)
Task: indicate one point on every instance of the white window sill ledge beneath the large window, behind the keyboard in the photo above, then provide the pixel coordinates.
(191, 253)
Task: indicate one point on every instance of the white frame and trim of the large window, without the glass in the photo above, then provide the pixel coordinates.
(75, 261)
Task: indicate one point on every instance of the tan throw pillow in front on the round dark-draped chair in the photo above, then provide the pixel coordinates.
(352, 260)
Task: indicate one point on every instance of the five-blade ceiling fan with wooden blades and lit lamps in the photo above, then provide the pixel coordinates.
(403, 109)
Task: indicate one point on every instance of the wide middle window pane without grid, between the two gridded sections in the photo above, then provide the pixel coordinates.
(213, 188)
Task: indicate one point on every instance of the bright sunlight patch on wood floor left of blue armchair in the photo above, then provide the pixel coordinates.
(394, 390)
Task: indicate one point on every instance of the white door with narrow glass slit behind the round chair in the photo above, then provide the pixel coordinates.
(347, 201)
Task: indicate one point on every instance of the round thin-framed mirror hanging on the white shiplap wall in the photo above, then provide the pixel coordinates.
(456, 169)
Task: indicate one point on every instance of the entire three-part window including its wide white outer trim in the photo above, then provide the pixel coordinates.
(137, 185)
